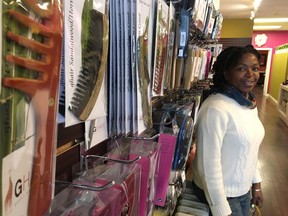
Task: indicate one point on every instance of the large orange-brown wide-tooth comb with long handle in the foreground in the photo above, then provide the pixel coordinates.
(43, 93)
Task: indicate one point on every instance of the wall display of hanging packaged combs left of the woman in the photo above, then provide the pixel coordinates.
(128, 91)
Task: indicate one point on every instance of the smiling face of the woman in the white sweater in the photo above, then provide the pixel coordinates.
(245, 74)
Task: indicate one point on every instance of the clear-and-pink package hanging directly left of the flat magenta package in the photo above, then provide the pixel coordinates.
(145, 152)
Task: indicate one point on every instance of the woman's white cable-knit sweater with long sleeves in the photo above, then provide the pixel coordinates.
(228, 138)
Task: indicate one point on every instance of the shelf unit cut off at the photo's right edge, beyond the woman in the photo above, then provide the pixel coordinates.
(283, 103)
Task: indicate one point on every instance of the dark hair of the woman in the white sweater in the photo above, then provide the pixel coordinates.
(227, 60)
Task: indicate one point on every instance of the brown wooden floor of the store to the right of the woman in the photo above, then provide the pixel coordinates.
(273, 158)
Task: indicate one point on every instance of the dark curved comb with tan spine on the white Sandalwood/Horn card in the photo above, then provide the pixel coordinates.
(94, 41)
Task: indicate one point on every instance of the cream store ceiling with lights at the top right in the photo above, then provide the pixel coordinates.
(236, 9)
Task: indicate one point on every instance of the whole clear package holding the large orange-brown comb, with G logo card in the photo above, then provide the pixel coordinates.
(31, 51)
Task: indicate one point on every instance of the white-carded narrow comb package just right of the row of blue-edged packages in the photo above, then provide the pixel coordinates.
(144, 34)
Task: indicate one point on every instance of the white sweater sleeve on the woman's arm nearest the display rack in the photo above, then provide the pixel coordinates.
(210, 131)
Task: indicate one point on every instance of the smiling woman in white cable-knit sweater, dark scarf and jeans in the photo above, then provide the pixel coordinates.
(228, 136)
